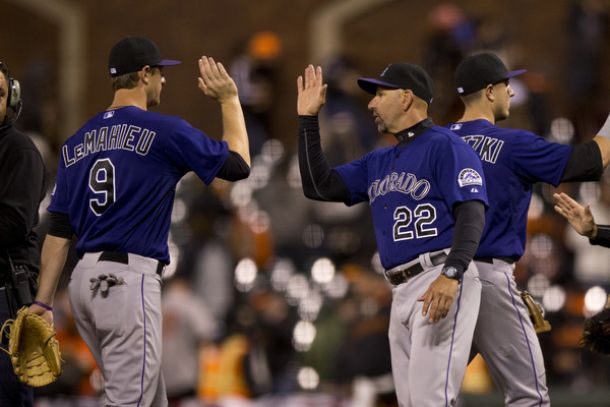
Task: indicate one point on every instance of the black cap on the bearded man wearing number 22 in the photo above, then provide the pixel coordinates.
(401, 76)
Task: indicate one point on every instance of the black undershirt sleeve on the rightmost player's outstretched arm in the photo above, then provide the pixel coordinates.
(585, 163)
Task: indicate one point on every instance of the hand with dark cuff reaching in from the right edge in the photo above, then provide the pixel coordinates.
(581, 219)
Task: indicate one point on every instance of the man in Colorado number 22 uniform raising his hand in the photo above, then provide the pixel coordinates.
(427, 197)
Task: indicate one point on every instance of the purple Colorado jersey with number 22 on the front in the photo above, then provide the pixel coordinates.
(412, 189)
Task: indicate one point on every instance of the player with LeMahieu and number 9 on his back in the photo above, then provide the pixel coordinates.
(115, 189)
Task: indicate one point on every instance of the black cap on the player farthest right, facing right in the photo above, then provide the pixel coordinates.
(479, 70)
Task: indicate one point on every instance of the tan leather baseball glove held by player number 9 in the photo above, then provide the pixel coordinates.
(33, 349)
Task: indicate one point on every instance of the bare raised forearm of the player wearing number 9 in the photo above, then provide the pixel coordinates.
(234, 128)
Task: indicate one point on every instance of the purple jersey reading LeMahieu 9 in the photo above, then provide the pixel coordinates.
(117, 177)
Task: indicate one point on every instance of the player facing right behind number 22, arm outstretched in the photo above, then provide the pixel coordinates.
(513, 160)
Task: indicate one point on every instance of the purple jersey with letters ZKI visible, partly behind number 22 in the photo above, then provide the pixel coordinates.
(513, 160)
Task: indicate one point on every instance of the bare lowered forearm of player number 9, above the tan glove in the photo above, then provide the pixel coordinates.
(53, 258)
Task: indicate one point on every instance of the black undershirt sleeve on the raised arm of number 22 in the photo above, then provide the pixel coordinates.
(320, 181)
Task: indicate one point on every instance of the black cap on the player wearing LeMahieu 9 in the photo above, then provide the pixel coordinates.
(133, 53)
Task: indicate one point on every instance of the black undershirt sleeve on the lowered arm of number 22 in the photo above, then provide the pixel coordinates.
(469, 224)
